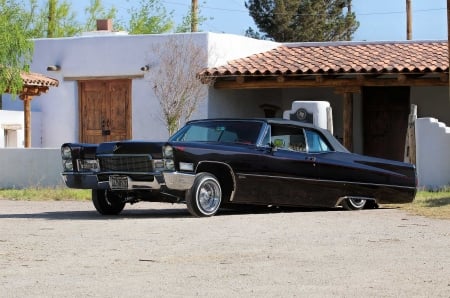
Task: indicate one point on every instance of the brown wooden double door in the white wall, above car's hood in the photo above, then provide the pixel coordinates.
(105, 110)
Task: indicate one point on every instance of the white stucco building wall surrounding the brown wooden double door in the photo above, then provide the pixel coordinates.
(116, 56)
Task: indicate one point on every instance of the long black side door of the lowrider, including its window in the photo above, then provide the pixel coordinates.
(284, 173)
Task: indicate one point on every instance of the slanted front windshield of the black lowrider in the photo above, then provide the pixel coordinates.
(246, 132)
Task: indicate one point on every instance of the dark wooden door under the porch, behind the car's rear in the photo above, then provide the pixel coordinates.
(385, 120)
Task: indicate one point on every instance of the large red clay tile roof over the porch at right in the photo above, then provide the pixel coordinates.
(346, 57)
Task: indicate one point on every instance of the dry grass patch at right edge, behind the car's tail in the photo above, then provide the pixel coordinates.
(434, 204)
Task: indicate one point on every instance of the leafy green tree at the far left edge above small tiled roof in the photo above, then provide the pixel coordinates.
(16, 48)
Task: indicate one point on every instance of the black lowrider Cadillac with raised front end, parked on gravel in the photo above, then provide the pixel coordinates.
(213, 163)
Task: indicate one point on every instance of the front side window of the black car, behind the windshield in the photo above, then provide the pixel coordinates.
(288, 138)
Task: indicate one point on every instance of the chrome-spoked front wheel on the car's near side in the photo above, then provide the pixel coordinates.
(205, 196)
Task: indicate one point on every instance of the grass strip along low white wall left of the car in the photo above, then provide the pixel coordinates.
(46, 194)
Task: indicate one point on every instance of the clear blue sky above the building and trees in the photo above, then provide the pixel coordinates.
(379, 20)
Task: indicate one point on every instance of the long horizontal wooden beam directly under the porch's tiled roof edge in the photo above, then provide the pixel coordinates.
(299, 83)
